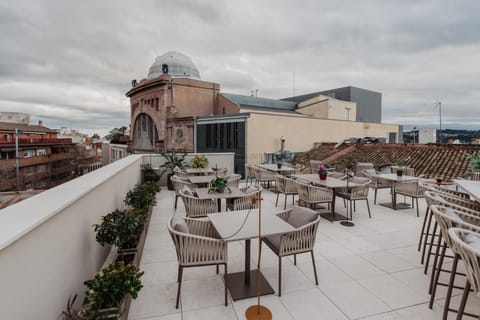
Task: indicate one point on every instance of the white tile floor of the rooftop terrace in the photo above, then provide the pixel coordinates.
(370, 271)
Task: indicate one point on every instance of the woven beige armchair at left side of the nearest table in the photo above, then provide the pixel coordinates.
(197, 244)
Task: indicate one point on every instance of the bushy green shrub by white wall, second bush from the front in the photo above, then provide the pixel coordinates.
(121, 228)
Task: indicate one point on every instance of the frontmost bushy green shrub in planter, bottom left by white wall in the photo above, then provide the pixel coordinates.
(109, 286)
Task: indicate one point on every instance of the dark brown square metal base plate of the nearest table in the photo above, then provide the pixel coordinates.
(241, 290)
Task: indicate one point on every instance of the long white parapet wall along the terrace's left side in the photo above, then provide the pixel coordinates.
(47, 243)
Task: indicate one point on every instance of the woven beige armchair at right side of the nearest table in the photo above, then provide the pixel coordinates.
(295, 242)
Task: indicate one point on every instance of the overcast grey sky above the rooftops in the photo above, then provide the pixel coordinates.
(70, 63)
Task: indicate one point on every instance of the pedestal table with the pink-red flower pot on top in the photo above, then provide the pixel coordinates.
(330, 183)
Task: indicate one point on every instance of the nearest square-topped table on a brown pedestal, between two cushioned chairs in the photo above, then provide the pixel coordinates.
(244, 225)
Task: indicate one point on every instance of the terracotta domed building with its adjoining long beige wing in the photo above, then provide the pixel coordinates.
(174, 109)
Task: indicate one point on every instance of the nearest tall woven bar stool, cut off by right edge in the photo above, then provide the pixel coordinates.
(467, 245)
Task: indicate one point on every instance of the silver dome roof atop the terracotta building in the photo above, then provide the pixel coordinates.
(179, 66)
